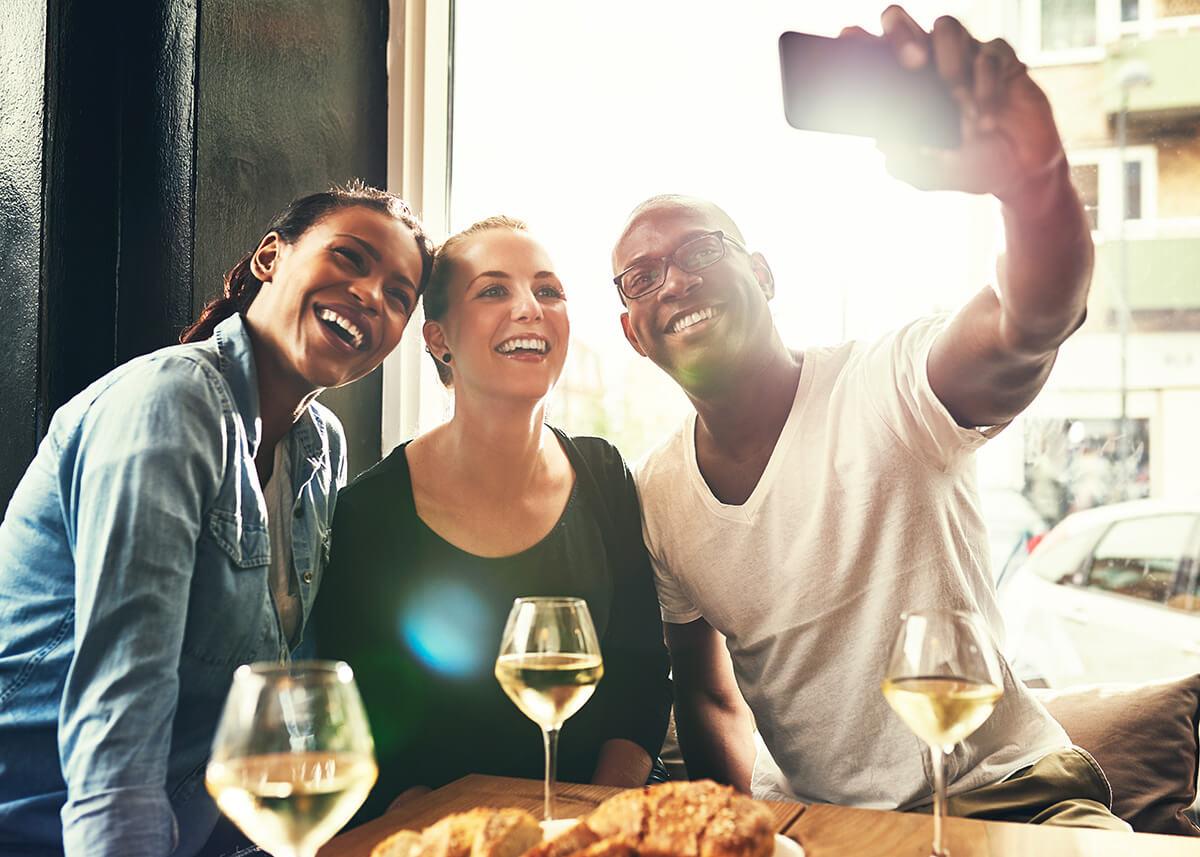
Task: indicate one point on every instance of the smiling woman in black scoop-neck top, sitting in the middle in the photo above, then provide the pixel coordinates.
(433, 546)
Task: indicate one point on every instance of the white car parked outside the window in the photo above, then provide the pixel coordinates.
(1111, 595)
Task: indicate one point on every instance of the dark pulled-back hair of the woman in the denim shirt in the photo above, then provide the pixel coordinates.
(241, 284)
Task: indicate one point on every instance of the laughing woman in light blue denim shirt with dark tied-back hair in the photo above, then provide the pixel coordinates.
(175, 525)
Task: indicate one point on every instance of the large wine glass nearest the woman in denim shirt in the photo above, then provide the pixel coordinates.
(293, 758)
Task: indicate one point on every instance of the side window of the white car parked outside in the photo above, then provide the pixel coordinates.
(1142, 558)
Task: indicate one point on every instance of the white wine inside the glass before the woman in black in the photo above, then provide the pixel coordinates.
(549, 688)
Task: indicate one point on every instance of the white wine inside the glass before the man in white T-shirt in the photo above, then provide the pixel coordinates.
(941, 710)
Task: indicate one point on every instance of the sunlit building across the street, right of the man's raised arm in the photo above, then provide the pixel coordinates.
(1120, 415)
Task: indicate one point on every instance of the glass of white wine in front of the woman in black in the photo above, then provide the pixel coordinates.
(549, 666)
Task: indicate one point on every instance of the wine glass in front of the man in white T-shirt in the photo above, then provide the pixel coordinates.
(944, 680)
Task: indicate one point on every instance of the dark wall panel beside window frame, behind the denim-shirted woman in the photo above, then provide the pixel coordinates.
(293, 97)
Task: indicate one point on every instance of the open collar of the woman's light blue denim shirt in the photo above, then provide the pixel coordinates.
(236, 357)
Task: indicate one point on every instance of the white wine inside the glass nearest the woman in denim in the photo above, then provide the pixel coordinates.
(292, 804)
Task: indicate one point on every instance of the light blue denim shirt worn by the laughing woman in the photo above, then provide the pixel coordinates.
(134, 580)
